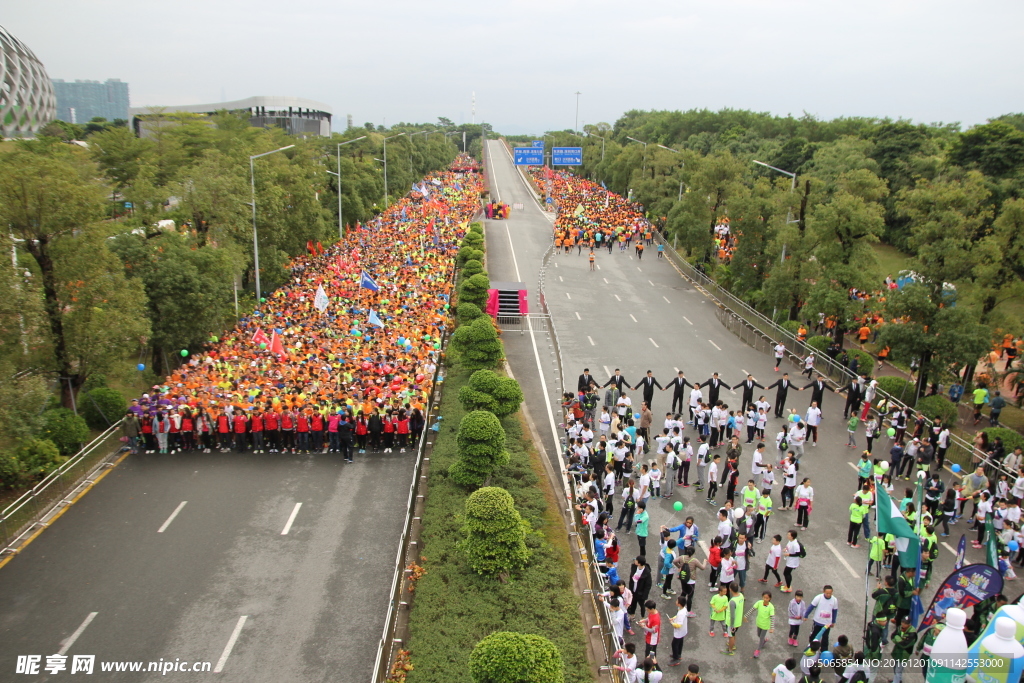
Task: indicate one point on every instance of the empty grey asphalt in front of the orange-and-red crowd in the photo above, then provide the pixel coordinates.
(315, 599)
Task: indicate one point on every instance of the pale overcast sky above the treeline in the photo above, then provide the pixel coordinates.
(391, 61)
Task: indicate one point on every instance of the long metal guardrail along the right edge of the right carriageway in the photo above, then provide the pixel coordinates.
(765, 334)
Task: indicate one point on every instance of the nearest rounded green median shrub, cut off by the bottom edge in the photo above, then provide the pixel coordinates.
(514, 658)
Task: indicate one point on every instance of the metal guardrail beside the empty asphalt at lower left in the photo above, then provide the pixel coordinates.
(36, 506)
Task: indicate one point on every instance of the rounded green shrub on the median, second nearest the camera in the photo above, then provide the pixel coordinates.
(495, 534)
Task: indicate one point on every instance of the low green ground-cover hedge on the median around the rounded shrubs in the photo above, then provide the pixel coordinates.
(455, 607)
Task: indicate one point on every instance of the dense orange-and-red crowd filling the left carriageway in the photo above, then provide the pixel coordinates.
(340, 360)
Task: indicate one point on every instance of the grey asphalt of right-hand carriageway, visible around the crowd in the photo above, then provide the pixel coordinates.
(643, 315)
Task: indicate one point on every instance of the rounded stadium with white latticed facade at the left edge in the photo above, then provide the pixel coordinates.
(27, 102)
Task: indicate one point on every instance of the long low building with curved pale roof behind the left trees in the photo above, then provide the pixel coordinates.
(295, 115)
